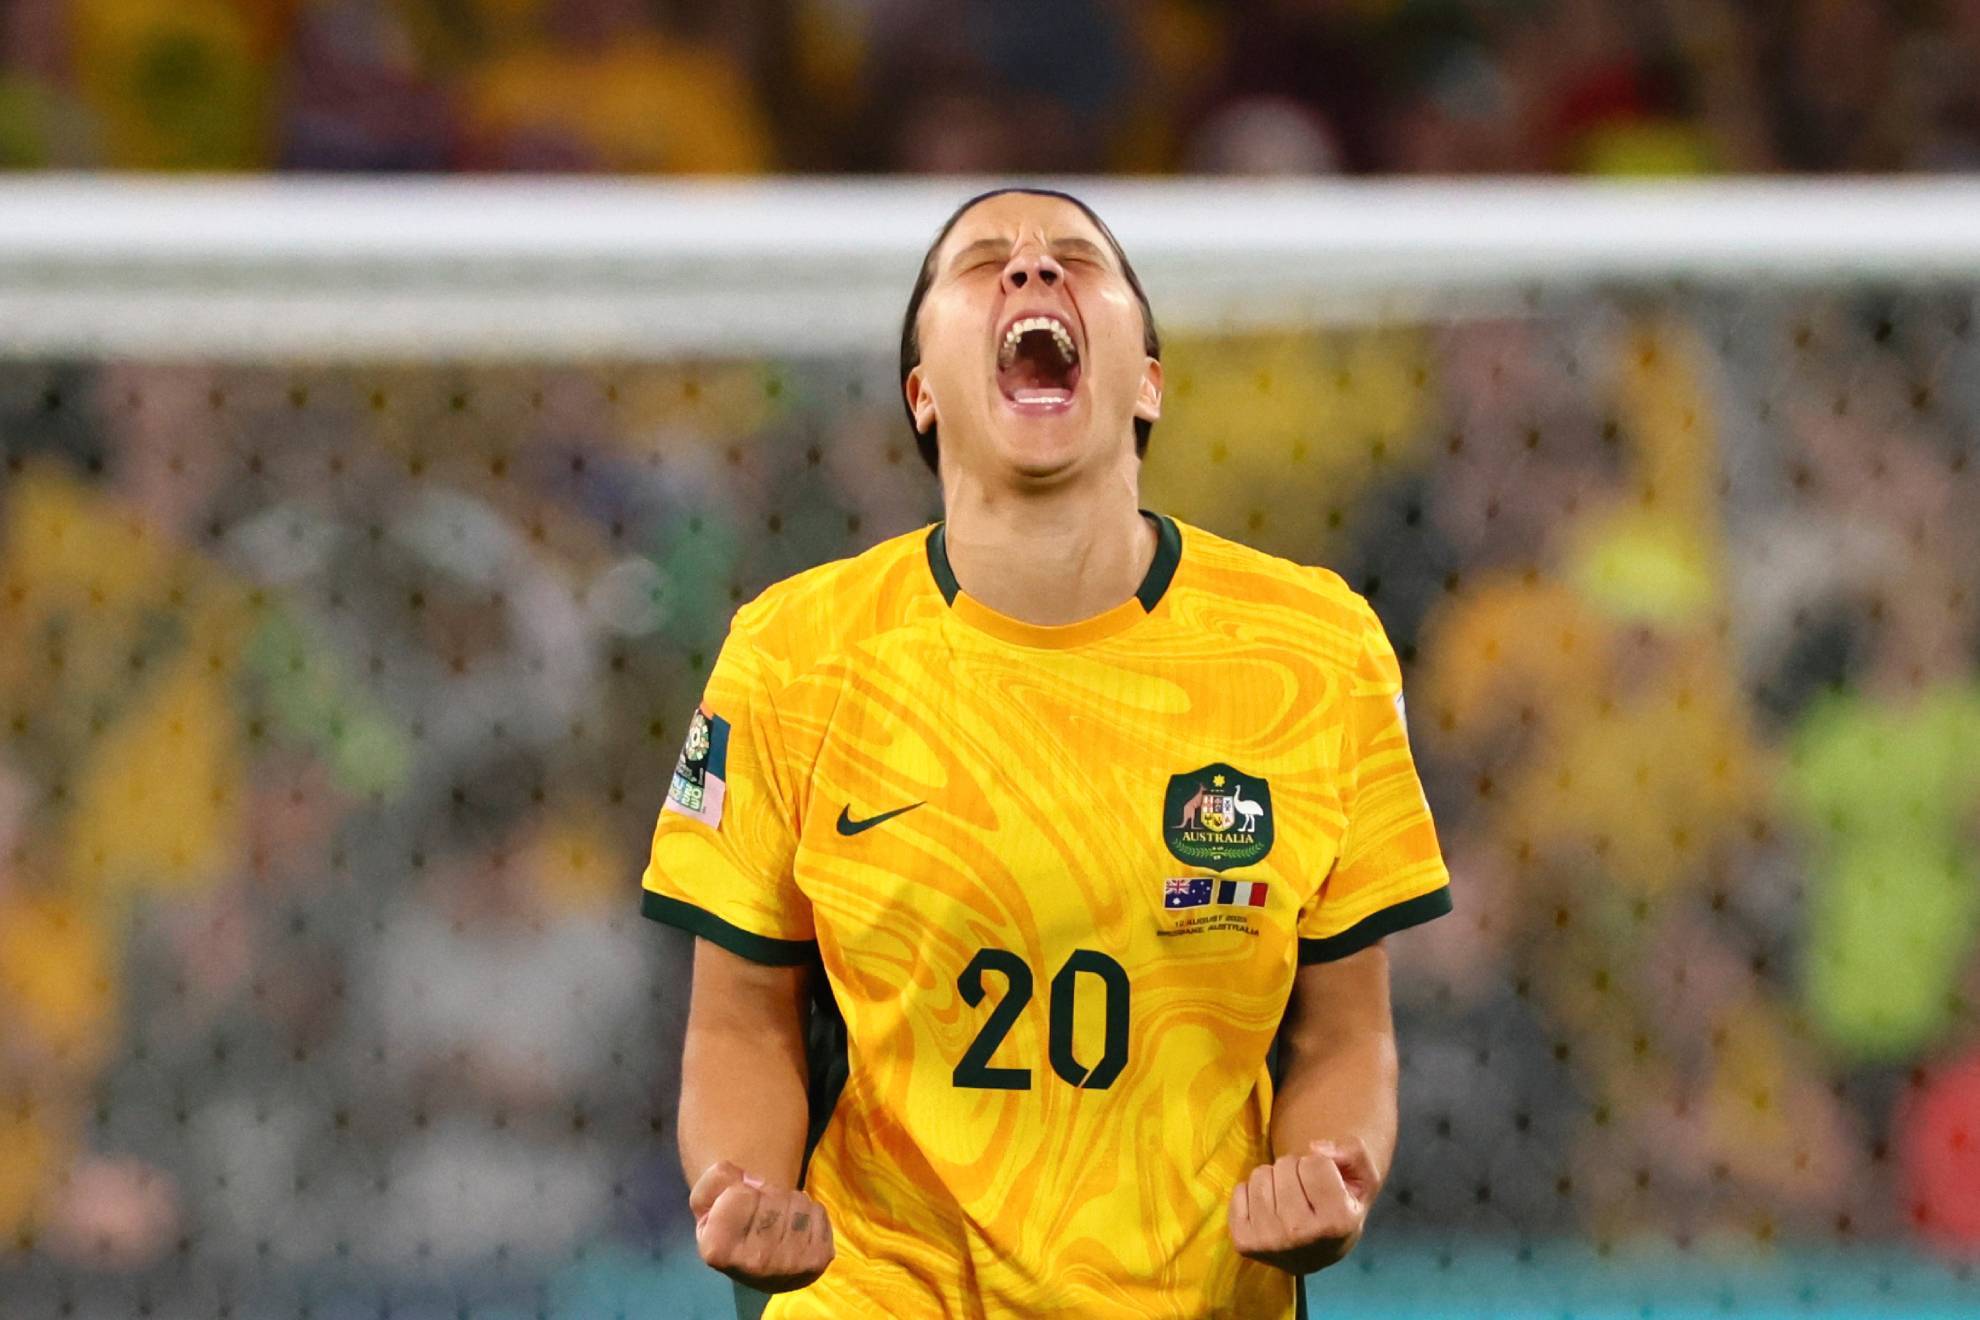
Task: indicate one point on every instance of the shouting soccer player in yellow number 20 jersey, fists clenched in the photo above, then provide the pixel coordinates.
(1019, 844)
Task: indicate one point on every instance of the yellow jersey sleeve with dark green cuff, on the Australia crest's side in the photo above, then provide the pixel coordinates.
(1389, 874)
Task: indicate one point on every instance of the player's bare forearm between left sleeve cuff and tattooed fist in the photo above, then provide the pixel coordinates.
(743, 1074)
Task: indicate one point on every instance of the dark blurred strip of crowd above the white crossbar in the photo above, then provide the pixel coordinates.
(993, 86)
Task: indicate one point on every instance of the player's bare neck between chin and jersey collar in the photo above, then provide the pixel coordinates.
(1054, 555)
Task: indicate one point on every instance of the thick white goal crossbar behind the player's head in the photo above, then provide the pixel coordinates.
(476, 268)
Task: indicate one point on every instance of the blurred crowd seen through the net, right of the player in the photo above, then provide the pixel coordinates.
(1684, 597)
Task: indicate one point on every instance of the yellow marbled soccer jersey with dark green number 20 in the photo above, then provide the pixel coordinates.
(1060, 882)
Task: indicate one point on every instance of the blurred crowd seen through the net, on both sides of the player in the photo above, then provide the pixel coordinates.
(338, 704)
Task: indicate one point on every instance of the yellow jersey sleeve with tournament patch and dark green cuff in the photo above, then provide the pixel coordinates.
(728, 834)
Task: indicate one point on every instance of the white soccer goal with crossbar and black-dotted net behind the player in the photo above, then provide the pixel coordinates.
(365, 547)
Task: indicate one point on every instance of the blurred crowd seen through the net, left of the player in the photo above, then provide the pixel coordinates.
(334, 717)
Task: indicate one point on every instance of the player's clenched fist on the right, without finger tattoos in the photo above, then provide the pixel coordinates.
(1302, 1214)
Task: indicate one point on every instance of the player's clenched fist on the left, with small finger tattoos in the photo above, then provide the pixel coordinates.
(765, 1238)
